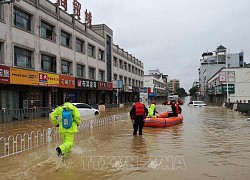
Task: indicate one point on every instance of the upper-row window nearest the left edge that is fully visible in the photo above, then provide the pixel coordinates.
(22, 19)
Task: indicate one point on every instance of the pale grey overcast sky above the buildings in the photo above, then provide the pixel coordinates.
(171, 35)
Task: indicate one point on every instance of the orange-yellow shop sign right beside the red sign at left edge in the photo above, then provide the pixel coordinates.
(24, 77)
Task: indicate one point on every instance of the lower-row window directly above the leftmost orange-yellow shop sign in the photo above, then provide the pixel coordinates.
(22, 57)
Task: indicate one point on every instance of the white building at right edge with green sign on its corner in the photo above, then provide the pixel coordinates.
(229, 85)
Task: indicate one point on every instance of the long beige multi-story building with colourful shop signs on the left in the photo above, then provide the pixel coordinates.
(47, 54)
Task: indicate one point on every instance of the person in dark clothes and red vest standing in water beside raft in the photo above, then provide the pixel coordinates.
(138, 114)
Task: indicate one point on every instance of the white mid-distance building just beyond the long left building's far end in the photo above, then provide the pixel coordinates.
(156, 83)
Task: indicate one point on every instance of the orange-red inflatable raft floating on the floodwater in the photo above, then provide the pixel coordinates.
(163, 120)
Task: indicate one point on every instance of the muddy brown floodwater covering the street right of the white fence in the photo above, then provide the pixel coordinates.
(211, 143)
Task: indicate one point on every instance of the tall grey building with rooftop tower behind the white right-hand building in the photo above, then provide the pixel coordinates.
(213, 62)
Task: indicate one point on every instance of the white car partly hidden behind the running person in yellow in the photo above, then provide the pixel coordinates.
(85, 109)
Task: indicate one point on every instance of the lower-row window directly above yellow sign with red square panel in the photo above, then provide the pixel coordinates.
(48, 63)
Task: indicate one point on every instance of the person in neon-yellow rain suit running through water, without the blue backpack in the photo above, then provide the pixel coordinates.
(68, 133)
